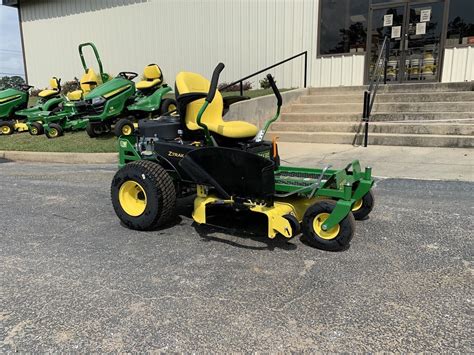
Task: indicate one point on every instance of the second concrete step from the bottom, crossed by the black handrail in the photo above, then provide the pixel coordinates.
(377, 127)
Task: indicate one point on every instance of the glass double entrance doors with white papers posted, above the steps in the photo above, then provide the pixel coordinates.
(415, 32)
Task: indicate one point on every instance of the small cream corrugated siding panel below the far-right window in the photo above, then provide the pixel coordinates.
(458, 64)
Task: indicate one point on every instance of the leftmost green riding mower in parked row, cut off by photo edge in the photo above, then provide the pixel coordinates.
(14, 113)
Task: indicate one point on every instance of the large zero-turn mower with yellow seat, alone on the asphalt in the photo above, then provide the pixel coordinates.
(230, 164)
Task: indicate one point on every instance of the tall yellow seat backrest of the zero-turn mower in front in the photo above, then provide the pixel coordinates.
(187, 82)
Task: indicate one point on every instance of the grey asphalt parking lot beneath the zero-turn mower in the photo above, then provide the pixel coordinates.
(73, 279)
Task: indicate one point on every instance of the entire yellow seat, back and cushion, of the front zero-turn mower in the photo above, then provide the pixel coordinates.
(187, 83)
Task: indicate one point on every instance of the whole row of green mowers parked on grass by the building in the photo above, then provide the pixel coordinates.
(102, 104)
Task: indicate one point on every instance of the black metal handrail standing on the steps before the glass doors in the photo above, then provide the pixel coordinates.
(374, 82)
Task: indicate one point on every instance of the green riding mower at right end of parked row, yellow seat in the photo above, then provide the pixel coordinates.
(121, 103)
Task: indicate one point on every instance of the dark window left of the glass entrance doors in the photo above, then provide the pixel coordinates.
(343, 26)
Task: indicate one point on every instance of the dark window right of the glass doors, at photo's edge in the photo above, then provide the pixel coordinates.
(460, 23)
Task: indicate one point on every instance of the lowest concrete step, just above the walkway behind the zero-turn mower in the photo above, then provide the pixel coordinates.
(418, 140)
